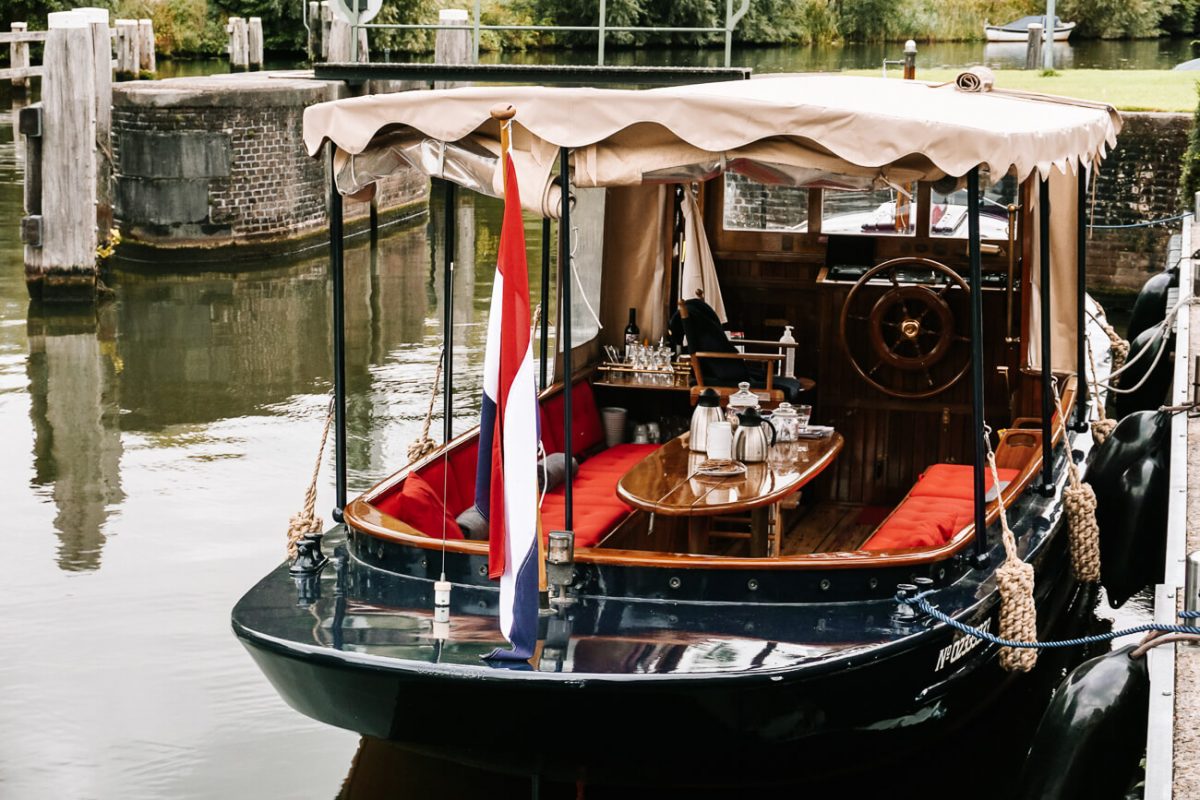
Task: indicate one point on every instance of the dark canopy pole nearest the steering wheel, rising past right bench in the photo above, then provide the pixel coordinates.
(977, 422)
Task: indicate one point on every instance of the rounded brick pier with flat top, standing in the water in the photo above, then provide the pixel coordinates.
(217, 163)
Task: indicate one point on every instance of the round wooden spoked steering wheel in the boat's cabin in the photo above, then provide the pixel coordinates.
(909, 330)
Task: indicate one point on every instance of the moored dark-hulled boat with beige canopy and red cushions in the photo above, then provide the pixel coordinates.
(765, 621)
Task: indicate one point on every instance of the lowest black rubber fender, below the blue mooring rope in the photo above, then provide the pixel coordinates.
(1093, 735)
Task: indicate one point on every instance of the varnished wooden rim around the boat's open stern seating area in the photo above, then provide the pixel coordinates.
(367, 519)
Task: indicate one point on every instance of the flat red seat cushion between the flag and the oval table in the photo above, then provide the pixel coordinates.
(597, 509)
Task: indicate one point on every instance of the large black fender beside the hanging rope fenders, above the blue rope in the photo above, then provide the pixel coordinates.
(1130, 474)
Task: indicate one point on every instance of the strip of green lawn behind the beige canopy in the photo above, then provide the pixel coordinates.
(1130, 91)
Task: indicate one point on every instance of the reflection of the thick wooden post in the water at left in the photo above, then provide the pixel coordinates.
(74, 370)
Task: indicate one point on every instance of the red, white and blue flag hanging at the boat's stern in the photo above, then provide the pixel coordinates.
(507, 474)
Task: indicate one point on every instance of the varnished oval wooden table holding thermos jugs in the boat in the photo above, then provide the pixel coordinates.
(667, 483)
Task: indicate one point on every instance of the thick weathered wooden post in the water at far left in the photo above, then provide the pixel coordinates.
(64, 267)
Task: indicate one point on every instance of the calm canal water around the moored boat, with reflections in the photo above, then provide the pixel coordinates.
(154, 449)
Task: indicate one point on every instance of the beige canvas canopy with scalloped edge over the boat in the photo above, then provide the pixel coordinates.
(799, 130)
